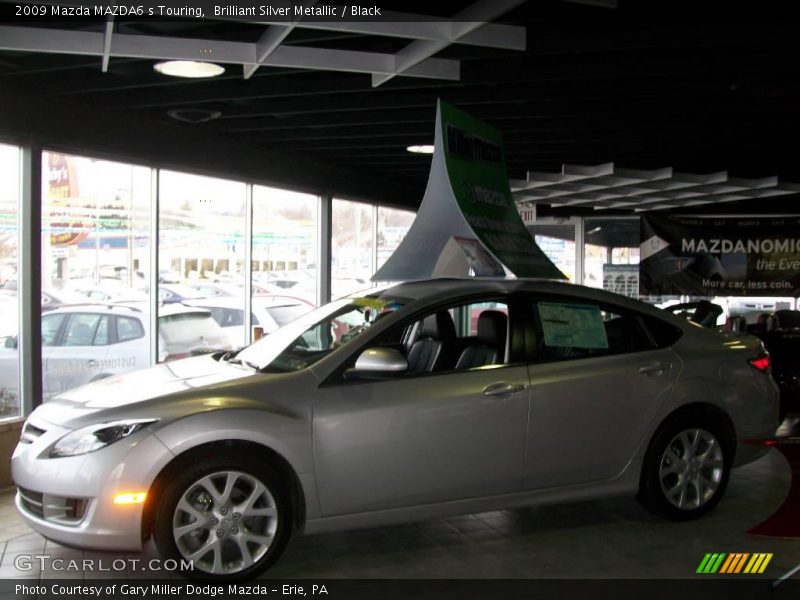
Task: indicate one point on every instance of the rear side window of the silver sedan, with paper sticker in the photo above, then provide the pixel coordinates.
(569, 329)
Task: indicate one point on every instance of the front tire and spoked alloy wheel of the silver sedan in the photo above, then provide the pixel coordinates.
(228, 514)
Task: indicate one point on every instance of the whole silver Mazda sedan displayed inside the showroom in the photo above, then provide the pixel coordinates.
(424, 399)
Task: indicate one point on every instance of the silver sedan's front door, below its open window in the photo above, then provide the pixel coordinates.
(420, 438)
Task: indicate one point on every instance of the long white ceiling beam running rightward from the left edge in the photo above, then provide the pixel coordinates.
(168, 48)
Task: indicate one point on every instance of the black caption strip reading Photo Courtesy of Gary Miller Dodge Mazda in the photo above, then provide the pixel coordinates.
(732, 588)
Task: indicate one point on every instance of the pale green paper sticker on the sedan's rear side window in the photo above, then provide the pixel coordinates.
(572, 325)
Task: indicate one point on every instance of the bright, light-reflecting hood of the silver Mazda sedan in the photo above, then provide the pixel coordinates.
(168, 379)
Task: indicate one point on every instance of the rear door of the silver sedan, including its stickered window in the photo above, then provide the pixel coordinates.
(597, 382)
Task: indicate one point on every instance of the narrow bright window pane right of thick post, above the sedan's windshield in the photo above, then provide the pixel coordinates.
(352, 247)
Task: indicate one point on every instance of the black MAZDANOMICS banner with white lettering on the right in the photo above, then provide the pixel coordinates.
(701, 256)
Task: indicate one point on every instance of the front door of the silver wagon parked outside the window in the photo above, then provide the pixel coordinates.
(80, 352)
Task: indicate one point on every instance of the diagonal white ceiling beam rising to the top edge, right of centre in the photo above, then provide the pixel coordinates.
(468, 20)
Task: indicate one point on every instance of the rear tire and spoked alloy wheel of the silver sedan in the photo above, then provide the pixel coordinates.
(686, 468)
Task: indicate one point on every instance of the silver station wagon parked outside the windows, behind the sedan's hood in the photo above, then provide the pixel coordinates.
(89, 342)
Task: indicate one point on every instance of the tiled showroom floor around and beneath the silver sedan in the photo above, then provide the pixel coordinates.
(600, 539)
